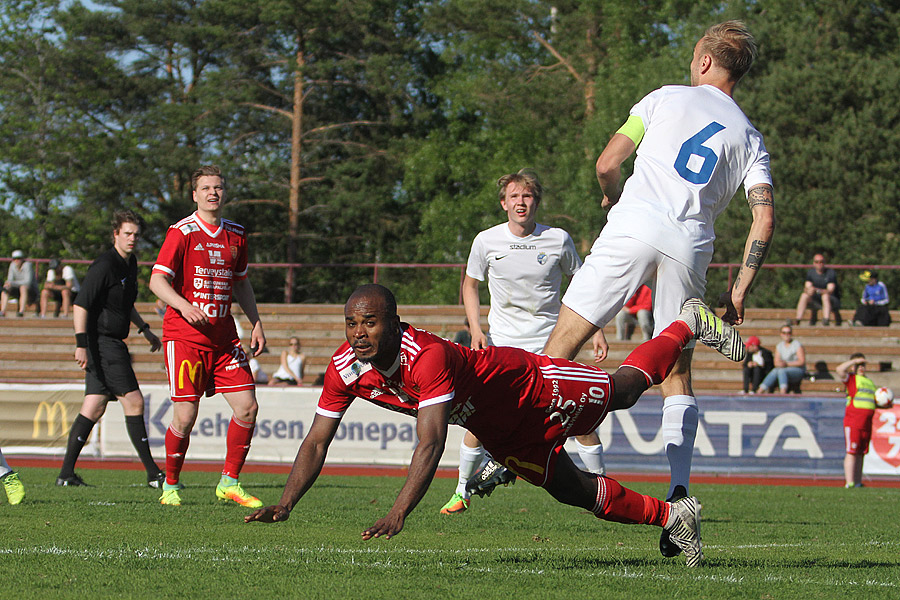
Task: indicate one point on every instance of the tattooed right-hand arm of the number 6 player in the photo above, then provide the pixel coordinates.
(762, 205)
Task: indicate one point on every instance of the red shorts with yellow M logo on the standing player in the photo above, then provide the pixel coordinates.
(193, 372)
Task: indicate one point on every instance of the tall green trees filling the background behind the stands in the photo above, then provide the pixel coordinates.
(410, 112)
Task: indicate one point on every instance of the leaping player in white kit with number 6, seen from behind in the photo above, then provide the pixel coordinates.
(694, 148)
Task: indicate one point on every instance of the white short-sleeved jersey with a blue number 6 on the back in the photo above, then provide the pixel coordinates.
(698, 147)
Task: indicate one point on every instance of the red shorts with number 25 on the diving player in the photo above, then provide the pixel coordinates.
(573, 400)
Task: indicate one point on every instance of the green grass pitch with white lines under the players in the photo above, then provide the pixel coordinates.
(116, 540)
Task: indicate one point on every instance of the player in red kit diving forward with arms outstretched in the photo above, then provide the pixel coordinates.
(522, 406)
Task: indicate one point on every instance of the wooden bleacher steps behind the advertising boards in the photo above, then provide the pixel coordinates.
(36, 350)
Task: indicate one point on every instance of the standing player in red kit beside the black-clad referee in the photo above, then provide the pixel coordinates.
(202, 262)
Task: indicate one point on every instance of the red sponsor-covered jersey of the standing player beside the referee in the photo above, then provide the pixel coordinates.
(203, 262)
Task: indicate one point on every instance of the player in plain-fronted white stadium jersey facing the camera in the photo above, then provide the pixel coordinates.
(523, 262)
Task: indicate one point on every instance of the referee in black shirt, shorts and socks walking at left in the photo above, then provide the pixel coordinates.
(104, 310)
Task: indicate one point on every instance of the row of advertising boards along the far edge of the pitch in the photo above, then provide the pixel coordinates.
(745, 434)
